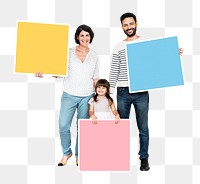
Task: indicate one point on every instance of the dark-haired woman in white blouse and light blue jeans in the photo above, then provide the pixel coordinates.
(78, 88)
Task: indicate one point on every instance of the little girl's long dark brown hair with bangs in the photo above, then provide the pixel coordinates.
(104, 83)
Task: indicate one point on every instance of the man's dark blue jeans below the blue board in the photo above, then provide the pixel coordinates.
(141, 104)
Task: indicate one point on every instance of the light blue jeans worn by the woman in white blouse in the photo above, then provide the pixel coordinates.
(69, 104)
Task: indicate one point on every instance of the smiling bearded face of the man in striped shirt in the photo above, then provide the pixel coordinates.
(129, 26)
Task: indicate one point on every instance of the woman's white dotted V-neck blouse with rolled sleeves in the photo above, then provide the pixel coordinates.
(81, 75)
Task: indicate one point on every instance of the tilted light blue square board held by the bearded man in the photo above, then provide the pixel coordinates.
(154, 64)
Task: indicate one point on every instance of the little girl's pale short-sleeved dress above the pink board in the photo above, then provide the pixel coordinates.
(102, 108)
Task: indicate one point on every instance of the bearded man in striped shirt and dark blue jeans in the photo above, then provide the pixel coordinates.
(118, 73)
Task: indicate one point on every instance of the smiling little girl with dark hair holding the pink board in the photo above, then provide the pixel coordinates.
(102, 105)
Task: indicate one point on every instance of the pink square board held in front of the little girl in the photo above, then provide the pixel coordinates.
(104, 146)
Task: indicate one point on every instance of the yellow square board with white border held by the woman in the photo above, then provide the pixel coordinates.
(42, 48)
